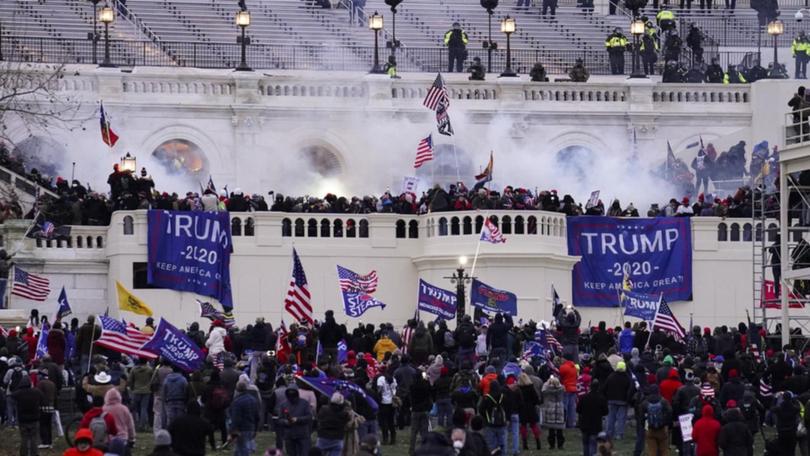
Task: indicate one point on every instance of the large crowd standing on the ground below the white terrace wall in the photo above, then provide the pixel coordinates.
(480, 388)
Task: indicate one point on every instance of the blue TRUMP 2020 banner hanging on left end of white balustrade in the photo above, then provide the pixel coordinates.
(191, 251)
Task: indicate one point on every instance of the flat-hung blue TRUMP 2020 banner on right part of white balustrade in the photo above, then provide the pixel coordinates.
(656, 255)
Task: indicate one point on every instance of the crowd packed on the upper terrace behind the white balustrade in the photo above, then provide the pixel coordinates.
(731, 196)
